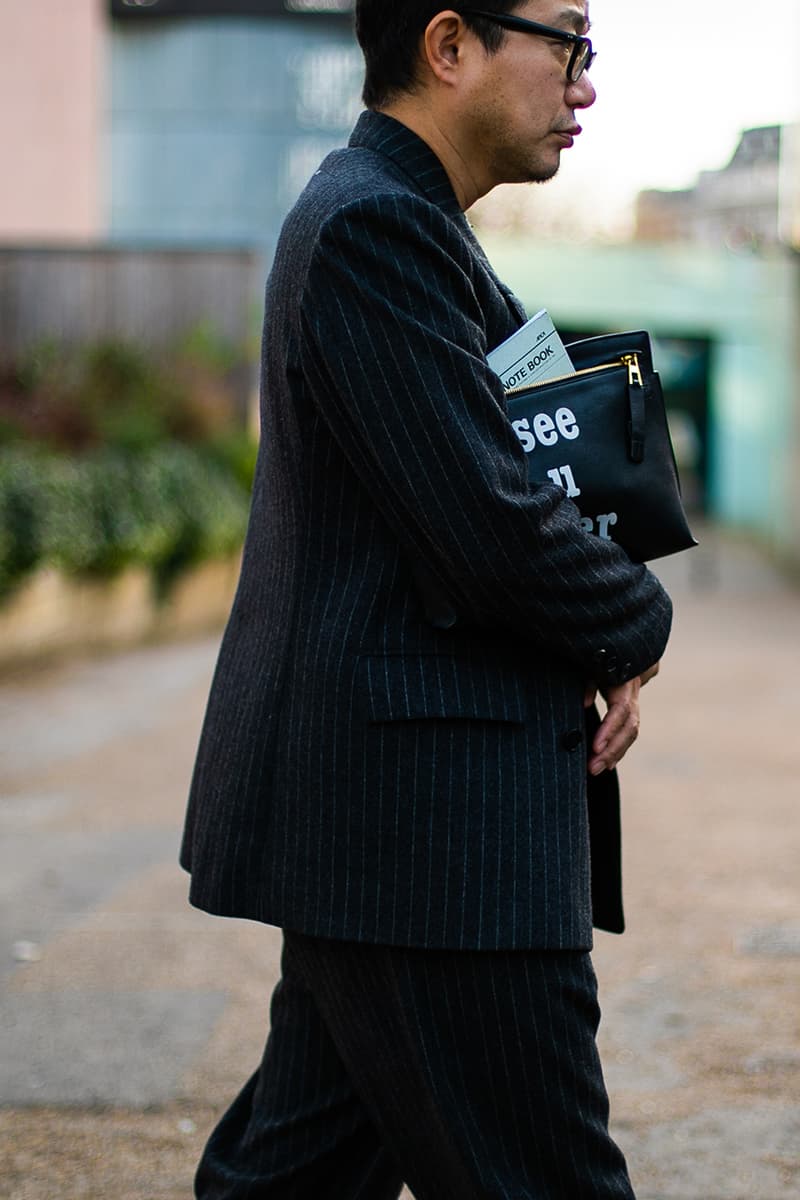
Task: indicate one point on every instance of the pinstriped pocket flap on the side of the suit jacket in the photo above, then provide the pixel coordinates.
(405, 688)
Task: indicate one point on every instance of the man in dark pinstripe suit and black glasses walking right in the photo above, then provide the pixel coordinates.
(401, 765)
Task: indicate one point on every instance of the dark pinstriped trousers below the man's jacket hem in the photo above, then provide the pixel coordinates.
(470, 1076)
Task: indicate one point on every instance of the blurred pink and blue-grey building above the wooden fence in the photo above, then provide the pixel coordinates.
(170, 122)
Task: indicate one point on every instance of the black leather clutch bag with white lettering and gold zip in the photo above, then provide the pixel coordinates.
(603, 435)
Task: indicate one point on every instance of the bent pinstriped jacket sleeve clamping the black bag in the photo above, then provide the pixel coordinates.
(394, 347)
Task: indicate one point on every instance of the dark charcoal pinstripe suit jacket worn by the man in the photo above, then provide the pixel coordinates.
(394, 748)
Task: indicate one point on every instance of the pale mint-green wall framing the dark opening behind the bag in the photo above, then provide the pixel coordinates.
(748, 307)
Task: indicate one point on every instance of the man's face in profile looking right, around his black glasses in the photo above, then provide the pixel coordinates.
(520, 109)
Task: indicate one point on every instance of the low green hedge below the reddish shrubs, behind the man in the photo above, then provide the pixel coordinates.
(166, 508)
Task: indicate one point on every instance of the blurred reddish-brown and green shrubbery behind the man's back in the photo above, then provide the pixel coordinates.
(112, 457)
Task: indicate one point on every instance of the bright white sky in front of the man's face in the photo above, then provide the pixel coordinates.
(677, 81)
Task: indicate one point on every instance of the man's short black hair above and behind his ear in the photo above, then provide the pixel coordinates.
(389, 33)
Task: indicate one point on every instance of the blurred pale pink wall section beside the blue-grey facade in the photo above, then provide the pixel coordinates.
(51, 107)
